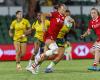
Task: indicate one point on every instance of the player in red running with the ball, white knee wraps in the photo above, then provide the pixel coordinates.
(56, 23)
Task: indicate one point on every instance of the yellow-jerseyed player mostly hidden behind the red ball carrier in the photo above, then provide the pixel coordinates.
(60, 42)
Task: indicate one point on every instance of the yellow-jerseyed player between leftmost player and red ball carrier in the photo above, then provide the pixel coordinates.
(38, 37)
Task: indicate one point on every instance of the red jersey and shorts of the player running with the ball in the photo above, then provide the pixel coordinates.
(56, 23)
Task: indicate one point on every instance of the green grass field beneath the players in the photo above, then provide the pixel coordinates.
(65, 70)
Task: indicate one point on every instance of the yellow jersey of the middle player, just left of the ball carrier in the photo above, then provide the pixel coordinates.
(39, 29)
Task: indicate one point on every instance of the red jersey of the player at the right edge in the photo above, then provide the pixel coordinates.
(95, 25)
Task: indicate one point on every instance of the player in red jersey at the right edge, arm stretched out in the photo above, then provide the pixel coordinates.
(94, 24)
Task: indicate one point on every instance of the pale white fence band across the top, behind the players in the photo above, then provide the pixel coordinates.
(75, 10)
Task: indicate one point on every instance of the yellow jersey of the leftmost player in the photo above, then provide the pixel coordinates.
(19, 29)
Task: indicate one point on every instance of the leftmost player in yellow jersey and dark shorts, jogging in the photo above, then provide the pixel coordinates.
(17, 30)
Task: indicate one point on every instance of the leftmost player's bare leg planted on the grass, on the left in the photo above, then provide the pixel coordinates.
(17, 48)
